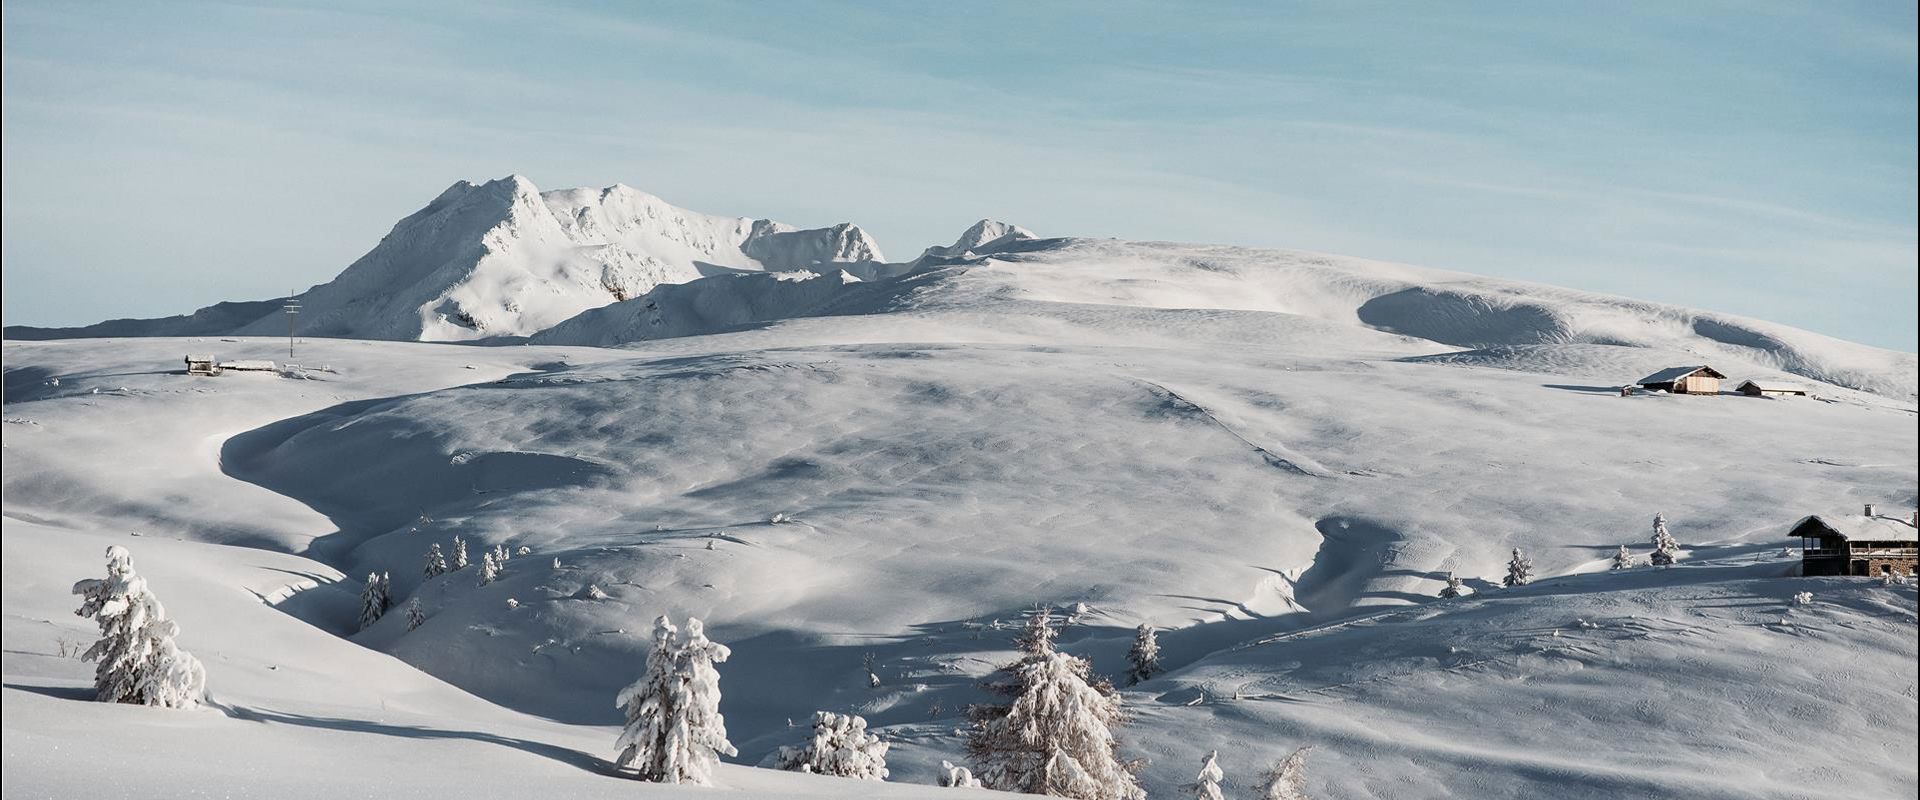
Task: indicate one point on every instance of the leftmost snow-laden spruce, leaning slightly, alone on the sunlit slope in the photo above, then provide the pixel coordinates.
(135, 657)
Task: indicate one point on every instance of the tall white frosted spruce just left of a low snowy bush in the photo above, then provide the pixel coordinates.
(675, 732)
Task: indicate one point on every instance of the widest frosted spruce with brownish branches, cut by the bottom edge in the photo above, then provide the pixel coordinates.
(1055, 736)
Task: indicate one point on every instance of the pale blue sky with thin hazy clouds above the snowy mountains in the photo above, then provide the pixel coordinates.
(1739, 156)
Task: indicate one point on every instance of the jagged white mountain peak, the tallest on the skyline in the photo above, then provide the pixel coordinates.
(504, 258)
